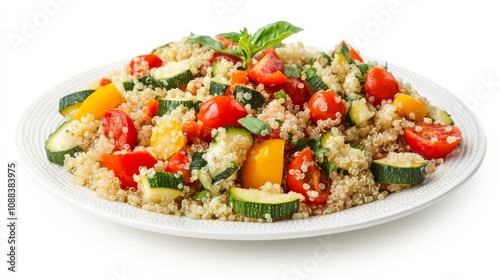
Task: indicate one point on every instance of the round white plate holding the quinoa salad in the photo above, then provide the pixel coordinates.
(42, 118)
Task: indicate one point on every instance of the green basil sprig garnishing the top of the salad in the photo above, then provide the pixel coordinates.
(270, 35)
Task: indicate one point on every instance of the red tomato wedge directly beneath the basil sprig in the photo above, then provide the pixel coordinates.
(268, 70)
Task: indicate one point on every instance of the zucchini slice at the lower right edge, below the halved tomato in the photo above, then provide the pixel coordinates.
(399, 170)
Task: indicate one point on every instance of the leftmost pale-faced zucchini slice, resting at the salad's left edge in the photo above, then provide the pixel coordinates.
(57, 145)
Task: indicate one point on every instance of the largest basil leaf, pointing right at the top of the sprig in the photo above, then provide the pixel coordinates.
(272, 34)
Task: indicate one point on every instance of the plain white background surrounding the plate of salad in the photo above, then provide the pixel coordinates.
(455, 45)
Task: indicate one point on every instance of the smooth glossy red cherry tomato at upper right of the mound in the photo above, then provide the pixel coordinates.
(380, 85)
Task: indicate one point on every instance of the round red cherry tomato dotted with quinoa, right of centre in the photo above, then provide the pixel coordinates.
(326, 105)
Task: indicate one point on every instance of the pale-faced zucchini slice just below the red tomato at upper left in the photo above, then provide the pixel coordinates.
(173, 75)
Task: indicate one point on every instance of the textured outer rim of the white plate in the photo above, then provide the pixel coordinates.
(253, 231)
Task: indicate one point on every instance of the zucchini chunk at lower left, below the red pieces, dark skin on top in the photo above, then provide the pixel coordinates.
(158, 186)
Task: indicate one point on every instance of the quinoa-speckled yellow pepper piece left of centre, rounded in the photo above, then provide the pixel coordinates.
(167, 139)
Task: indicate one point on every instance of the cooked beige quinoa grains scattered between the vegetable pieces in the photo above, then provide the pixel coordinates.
(351, 148)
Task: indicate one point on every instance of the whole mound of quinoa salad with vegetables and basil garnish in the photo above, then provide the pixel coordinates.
(241, 126)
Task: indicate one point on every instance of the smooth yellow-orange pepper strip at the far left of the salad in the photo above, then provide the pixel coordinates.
(101, 100)
